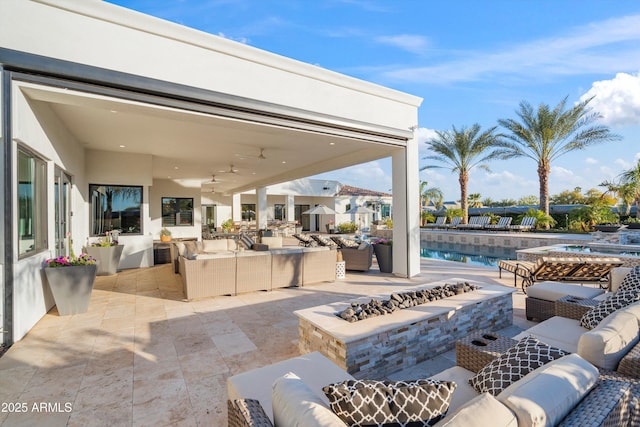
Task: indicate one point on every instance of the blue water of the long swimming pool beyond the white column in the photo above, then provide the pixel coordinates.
(469, 254)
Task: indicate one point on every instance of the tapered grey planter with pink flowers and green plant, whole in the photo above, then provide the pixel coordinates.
(70, 279)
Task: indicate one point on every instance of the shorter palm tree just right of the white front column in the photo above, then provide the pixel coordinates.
(462, 150)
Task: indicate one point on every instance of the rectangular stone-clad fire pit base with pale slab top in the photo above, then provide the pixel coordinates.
(376, 347)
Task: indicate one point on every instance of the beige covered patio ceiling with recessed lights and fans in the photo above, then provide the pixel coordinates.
(191, 143)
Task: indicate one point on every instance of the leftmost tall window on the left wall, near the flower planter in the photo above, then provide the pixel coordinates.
(32, 210)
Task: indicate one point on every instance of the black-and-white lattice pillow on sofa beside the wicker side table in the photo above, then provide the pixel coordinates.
(529, 354)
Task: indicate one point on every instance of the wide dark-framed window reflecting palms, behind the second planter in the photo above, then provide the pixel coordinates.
(115, 207)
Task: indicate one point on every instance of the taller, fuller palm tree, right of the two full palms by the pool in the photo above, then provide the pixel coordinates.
(546, 134)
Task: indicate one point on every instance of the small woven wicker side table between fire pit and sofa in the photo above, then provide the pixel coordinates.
(478, 349)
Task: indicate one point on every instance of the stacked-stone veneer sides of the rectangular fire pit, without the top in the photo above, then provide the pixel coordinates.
(400, 347)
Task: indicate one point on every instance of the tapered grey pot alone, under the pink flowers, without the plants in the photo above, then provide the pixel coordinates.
(71, 287)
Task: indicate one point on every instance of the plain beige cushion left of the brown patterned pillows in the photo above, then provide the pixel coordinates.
(294, 404)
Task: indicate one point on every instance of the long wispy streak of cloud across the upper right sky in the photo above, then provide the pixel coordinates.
(601, 47)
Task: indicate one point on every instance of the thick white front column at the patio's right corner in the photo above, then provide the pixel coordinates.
(406, 218)
